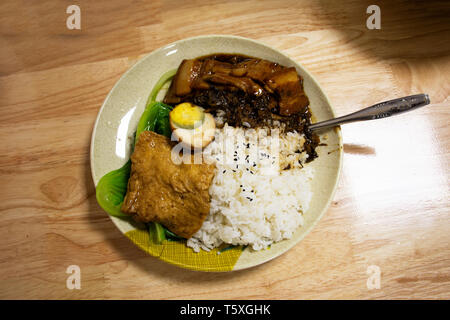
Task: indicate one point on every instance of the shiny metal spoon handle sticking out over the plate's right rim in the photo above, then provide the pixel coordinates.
(377, 111)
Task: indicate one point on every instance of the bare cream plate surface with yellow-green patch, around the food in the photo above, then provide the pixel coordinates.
(117, 121)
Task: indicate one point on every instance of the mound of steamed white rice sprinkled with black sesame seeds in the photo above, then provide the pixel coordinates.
(260, 191)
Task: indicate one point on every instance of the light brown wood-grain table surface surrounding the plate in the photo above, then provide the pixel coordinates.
(391, 210)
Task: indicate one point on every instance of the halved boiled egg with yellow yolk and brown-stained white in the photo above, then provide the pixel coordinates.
(192, 125)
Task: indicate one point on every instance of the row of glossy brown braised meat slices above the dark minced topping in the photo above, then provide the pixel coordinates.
(252, 76)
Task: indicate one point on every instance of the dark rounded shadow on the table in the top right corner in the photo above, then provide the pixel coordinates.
(409, 29)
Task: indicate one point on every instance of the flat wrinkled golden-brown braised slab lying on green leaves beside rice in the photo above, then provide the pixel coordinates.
(161, 191)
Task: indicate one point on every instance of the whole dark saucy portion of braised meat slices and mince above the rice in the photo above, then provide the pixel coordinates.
(250, 92)
